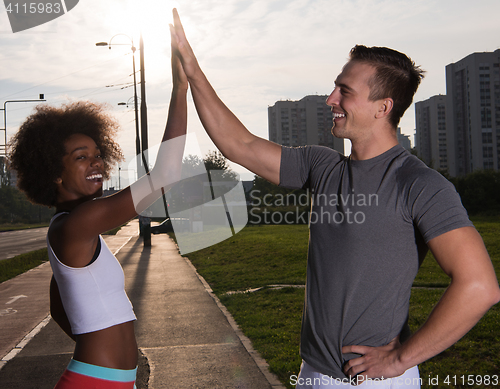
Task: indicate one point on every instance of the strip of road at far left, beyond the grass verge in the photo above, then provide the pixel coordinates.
(13, 243)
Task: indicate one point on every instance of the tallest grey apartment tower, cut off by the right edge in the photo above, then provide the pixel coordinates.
(473, 115)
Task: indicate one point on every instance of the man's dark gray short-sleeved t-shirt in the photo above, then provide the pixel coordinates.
(369, 224)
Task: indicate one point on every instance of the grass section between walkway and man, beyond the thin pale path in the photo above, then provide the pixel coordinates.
(255, 257)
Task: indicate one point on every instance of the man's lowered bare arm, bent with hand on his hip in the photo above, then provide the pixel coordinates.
(472, 292)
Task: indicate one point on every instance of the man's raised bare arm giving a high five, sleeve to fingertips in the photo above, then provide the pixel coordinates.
(231, 137)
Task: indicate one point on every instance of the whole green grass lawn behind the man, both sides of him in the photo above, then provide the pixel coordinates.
(270, 255)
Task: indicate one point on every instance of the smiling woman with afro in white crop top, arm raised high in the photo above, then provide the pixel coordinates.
(61, 156)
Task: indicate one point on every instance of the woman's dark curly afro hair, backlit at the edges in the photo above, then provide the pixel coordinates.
(36, 151)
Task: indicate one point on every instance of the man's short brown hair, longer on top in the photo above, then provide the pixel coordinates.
(396, 77)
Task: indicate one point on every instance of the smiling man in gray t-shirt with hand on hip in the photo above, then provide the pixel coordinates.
(374, 215)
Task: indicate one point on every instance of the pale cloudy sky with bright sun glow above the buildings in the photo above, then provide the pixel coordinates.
(254, 52)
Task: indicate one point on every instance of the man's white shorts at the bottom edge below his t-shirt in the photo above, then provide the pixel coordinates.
(309, 378)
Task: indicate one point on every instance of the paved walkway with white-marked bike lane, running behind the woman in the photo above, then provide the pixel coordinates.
(186, 337)
